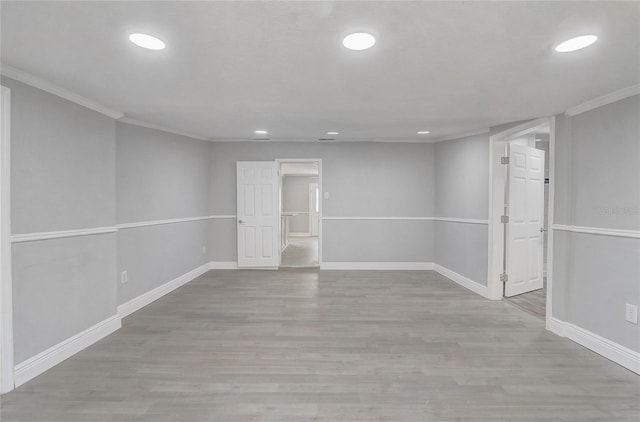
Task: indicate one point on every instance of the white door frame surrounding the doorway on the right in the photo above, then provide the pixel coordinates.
(497, 181)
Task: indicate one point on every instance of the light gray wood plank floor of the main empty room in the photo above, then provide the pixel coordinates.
(302, 345)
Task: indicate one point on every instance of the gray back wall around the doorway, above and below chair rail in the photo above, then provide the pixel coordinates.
(363, 180)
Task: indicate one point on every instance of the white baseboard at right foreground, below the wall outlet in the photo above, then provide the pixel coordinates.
(613, 351)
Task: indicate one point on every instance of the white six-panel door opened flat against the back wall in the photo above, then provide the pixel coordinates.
(258, 214)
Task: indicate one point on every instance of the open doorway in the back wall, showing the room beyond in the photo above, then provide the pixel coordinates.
(300, 209)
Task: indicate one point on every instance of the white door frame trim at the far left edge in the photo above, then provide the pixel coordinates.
(6, 298)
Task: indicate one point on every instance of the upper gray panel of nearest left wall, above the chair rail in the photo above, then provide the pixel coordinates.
(62, 163)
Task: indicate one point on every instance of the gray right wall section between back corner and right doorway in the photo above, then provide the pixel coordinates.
(462, 191)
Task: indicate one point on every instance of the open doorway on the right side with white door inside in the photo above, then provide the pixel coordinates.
(520, 216)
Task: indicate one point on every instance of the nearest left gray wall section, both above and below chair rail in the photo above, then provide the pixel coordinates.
(63, 177)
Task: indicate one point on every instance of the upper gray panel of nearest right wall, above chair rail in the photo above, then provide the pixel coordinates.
(606, 166)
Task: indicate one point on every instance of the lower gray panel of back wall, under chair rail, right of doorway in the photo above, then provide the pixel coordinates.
(378, 241)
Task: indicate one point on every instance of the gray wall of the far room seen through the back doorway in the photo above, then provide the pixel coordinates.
(295, 198)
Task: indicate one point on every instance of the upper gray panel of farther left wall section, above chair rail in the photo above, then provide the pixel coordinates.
(160, 175)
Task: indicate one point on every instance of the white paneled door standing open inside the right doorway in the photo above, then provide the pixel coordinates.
(525, 202)
